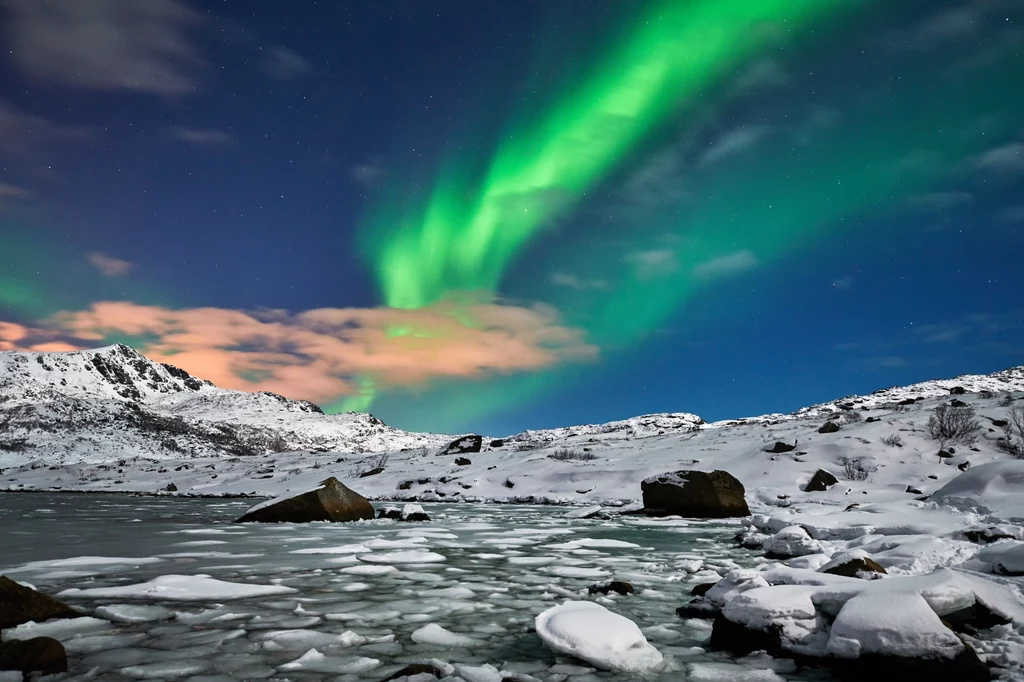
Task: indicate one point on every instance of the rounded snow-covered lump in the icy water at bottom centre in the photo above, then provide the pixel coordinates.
(605, 640)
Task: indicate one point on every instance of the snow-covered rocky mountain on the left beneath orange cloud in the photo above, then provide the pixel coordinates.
(103, 405)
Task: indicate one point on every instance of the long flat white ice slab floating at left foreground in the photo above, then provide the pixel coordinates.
(183, 588)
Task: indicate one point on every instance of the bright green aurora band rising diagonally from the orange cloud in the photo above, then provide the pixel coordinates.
(470, 233)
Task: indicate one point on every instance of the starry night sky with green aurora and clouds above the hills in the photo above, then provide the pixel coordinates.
(491, 217)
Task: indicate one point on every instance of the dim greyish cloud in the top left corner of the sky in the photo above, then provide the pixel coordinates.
(104, 45)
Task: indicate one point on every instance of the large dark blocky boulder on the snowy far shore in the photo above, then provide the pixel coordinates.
(695, 494)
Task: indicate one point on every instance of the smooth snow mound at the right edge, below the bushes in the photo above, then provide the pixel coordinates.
(996, 489)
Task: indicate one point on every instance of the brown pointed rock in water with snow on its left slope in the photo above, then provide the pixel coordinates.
(331, 502)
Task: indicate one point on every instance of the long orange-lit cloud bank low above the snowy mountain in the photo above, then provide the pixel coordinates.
(323, 355)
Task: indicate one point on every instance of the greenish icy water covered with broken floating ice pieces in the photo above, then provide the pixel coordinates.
(358, 592)
